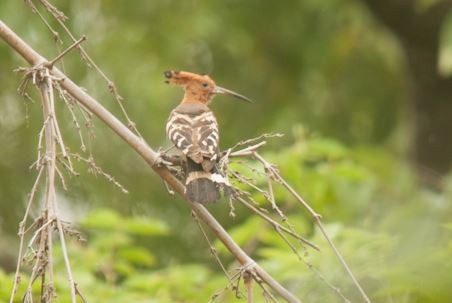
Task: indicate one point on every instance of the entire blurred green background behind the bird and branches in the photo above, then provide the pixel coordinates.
(361, 89)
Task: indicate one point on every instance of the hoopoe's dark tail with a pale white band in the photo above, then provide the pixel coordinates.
(200, 186)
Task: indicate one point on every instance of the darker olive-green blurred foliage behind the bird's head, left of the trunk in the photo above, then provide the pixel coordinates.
(300, 66)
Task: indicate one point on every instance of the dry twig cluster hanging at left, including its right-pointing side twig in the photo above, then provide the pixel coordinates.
(51, 153)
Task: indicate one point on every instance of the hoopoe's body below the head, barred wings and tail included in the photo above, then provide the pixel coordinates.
(193, 129)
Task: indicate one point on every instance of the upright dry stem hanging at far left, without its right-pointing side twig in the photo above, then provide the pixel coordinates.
(40, 246)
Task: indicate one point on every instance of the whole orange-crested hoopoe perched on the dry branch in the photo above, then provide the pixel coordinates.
(193, 129)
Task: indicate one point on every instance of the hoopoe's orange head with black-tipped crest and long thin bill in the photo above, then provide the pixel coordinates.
(198, 88)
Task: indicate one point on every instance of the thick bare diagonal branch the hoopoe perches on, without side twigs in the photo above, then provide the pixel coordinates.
(147, 153)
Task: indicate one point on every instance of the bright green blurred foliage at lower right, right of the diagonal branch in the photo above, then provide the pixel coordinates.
(396, 237)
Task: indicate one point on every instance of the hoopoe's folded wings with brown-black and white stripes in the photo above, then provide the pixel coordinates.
(196, 135)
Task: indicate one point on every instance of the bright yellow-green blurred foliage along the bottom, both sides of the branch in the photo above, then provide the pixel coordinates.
(400, 251)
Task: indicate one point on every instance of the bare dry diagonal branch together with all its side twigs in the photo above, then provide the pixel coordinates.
(48, 78)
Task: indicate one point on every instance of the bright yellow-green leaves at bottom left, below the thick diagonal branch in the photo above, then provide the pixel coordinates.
(113, 266)
